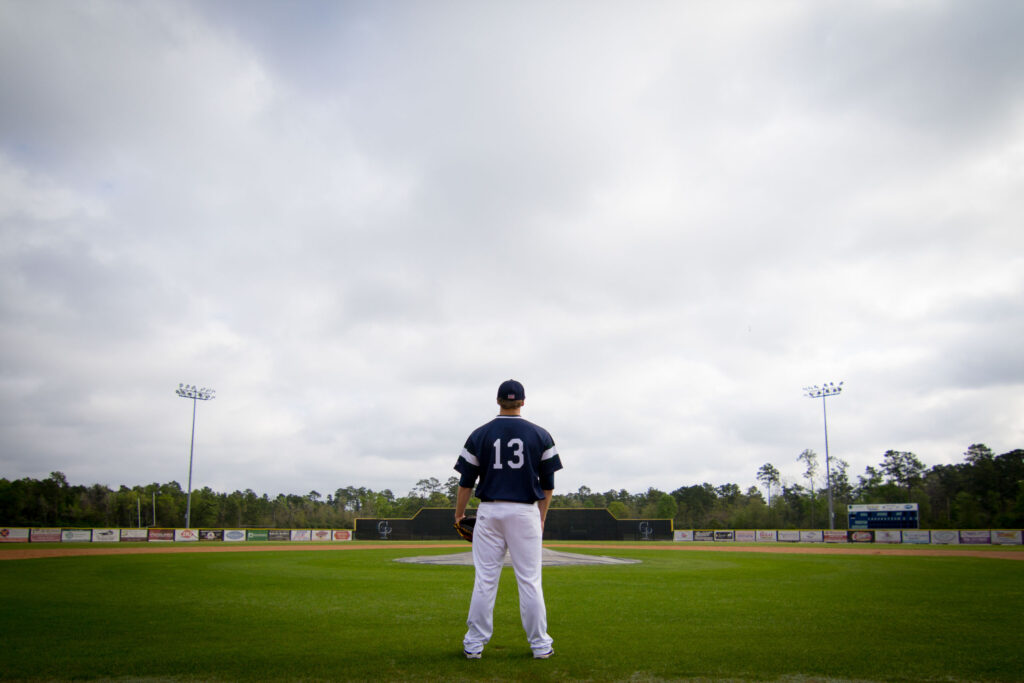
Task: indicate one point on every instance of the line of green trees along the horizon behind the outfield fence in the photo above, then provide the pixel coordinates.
(985, 491)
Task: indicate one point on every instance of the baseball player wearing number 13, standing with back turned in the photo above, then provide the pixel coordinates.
(516, 462)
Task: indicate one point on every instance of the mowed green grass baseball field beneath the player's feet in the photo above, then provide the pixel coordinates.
(356, 615)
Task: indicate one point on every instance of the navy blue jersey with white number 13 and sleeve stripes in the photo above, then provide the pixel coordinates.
(515, 459)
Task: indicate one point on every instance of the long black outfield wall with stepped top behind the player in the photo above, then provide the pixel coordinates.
(562, 525)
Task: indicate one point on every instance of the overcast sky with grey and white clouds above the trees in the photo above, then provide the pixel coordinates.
(355, 220)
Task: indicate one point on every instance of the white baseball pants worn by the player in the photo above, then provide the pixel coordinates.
(518, 528)
